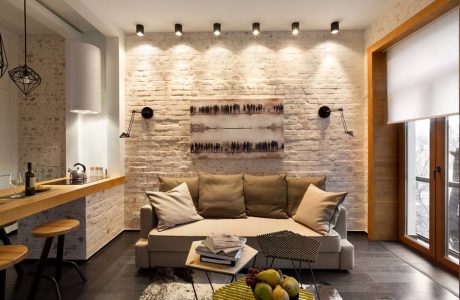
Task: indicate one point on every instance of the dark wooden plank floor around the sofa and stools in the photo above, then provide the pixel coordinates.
(383, 270)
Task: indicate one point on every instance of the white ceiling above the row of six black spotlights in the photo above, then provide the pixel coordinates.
(236, 15)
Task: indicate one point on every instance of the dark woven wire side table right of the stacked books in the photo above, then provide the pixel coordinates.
(291, 246)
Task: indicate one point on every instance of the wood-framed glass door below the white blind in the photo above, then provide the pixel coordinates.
(430, 214)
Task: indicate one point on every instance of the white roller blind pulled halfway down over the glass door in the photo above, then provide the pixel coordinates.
(422, 72)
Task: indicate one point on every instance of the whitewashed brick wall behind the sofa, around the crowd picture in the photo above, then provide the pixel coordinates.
(307, 71)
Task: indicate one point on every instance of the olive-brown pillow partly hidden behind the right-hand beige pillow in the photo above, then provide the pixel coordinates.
(296, 188)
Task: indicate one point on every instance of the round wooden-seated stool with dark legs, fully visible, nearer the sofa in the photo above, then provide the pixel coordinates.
(49, 230)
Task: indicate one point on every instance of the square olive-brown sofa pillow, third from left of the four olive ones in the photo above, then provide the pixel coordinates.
(265, 196)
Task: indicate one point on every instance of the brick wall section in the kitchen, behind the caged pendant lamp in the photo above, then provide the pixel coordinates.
(41, 122)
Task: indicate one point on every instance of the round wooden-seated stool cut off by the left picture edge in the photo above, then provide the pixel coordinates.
(9, 256)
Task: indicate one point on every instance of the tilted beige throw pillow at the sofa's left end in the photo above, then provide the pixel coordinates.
(173, 207)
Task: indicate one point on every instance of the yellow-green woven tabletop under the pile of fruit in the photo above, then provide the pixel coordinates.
(238, 290)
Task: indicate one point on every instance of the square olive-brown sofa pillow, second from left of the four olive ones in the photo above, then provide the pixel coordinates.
(221, 196)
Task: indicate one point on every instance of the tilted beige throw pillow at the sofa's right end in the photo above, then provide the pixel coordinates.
(317, 209)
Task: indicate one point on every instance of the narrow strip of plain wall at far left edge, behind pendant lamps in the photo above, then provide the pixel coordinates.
(8, 112)
